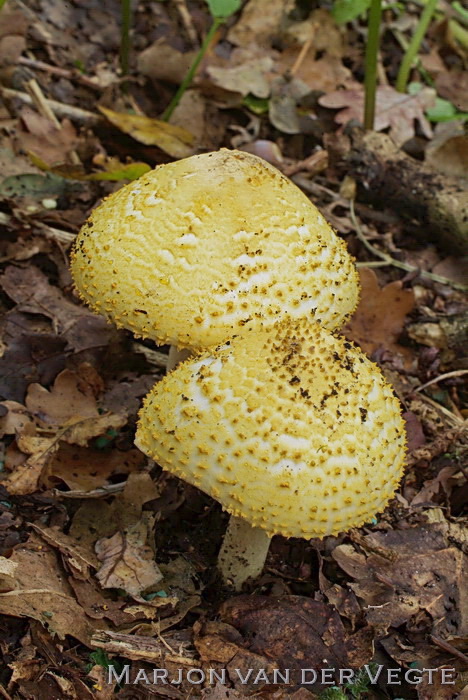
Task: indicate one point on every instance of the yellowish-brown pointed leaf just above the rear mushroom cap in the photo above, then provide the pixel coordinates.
(174, 140)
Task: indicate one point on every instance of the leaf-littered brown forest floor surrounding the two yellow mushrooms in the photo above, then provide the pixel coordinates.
(281, 81)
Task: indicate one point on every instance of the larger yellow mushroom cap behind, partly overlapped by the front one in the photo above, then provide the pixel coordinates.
(196, 249)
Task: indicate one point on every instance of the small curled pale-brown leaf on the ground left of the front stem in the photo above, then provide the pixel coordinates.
(127, 561)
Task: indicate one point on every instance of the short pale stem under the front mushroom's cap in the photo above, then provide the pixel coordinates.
(243, 552)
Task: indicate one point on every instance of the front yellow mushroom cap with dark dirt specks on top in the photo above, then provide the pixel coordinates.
(291, 428)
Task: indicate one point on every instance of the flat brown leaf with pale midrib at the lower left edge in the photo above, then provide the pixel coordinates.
(42, 593)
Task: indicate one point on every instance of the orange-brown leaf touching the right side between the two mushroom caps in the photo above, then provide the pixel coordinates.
(380, 315)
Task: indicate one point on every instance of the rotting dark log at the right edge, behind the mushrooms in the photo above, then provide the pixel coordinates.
(389, 176)
